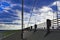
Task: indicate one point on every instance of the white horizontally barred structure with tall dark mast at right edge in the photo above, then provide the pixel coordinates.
(56, 21)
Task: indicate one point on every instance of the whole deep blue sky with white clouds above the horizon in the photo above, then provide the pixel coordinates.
(10, 12)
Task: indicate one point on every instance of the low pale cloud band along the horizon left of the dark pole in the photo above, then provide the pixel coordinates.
(9, 27)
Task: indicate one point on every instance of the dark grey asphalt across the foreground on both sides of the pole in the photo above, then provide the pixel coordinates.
(38, 35)
